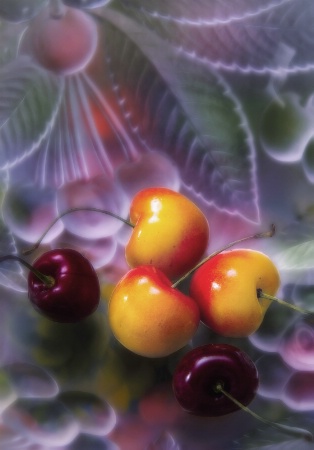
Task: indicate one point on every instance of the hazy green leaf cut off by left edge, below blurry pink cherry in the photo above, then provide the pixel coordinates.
(29, 101)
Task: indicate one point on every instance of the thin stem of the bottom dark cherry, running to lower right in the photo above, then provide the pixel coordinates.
(292, 431)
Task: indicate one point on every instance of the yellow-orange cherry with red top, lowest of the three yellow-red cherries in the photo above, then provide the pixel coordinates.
(150, 317)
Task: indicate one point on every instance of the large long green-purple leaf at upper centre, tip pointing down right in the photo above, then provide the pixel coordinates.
(186, 111)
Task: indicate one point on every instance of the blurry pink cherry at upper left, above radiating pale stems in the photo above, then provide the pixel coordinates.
(64, 42)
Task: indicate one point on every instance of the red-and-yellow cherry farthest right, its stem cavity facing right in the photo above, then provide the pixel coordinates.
(226, 290)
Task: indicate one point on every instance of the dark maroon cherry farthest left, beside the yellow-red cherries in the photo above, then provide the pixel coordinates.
(76, 290)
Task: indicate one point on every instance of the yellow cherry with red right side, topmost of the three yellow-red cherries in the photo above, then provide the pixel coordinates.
(170, 232)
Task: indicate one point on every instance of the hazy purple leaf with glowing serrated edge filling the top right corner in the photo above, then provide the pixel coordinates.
(242, 37)
